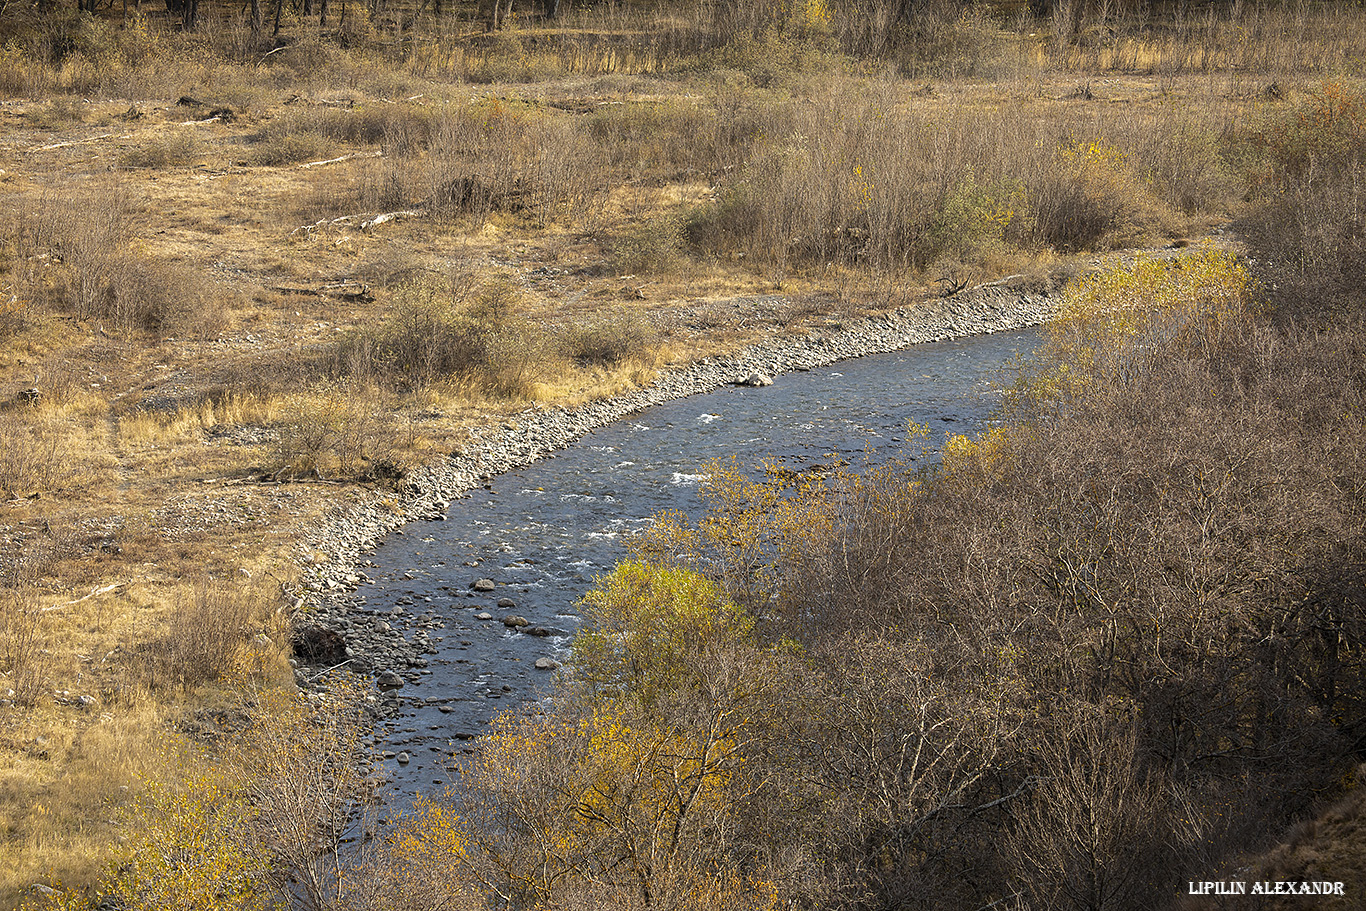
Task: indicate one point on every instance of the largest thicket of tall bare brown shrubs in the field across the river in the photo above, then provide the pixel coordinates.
(863, 180)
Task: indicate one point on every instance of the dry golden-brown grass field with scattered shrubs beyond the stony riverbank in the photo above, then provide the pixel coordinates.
(248, 281)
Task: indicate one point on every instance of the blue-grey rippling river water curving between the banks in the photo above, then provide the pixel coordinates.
(543, 533)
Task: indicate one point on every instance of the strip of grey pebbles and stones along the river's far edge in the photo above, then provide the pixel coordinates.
(334, 630)
